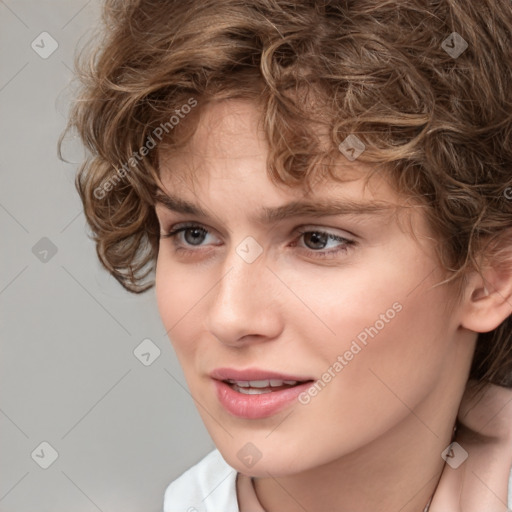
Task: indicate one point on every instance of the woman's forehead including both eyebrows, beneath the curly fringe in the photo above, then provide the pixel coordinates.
(227, 157)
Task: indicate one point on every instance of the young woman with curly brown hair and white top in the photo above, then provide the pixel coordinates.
(323, 190)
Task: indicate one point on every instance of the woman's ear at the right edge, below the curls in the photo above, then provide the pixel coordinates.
(488, 294)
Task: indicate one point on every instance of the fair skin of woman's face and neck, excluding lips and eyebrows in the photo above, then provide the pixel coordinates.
(372, 438)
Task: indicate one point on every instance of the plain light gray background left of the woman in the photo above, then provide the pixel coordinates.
(69, 377)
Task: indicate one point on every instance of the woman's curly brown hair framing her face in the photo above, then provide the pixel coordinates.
(425, 86)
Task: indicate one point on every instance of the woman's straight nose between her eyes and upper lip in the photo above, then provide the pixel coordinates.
(244, 306)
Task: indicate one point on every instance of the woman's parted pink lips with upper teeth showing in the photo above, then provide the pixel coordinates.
(255, 393)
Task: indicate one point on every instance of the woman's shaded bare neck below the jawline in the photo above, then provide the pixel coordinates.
(399, 471)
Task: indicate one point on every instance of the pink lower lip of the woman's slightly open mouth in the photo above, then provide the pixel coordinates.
(254, 407)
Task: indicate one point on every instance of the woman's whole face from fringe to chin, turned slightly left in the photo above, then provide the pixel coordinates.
(325, 324)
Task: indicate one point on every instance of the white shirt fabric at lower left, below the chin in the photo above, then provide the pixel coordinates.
(209, 486)
